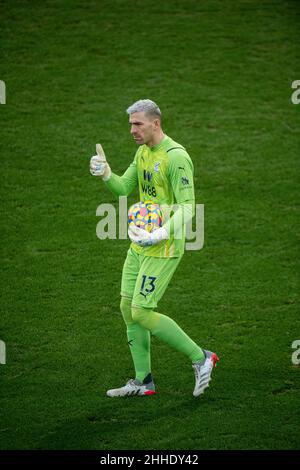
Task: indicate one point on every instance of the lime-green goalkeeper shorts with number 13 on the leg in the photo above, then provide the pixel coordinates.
(145, 278)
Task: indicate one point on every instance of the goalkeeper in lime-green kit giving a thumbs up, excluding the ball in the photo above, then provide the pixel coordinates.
(163, 172)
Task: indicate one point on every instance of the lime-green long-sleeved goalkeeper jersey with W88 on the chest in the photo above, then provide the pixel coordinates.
(164, 175)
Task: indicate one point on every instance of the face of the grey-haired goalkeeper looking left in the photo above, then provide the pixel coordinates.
(142, 128)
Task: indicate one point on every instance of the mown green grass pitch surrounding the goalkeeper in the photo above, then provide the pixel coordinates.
(222, 74)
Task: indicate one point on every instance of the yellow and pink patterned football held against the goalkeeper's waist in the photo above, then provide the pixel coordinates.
(146, 215)
